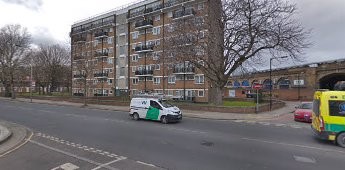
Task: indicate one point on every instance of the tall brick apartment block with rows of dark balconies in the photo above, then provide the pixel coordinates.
(126, 50)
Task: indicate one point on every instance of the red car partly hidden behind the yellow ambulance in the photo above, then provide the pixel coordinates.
(303, 112)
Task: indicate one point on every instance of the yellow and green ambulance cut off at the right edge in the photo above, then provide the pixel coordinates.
(328, 118)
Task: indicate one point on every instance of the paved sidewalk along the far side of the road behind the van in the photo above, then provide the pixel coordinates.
(290, 106)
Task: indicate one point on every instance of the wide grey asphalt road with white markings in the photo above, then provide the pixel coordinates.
(96, 139)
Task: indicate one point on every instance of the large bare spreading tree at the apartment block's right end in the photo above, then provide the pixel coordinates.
(237, 31)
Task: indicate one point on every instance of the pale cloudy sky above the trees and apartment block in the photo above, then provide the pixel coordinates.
(51, 20)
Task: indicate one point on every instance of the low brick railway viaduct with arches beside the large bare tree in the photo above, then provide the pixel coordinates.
(289, 83)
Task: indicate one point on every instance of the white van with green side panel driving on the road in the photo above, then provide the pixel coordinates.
(154, 109)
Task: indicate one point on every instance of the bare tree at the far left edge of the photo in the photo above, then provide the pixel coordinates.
(14, 44)
